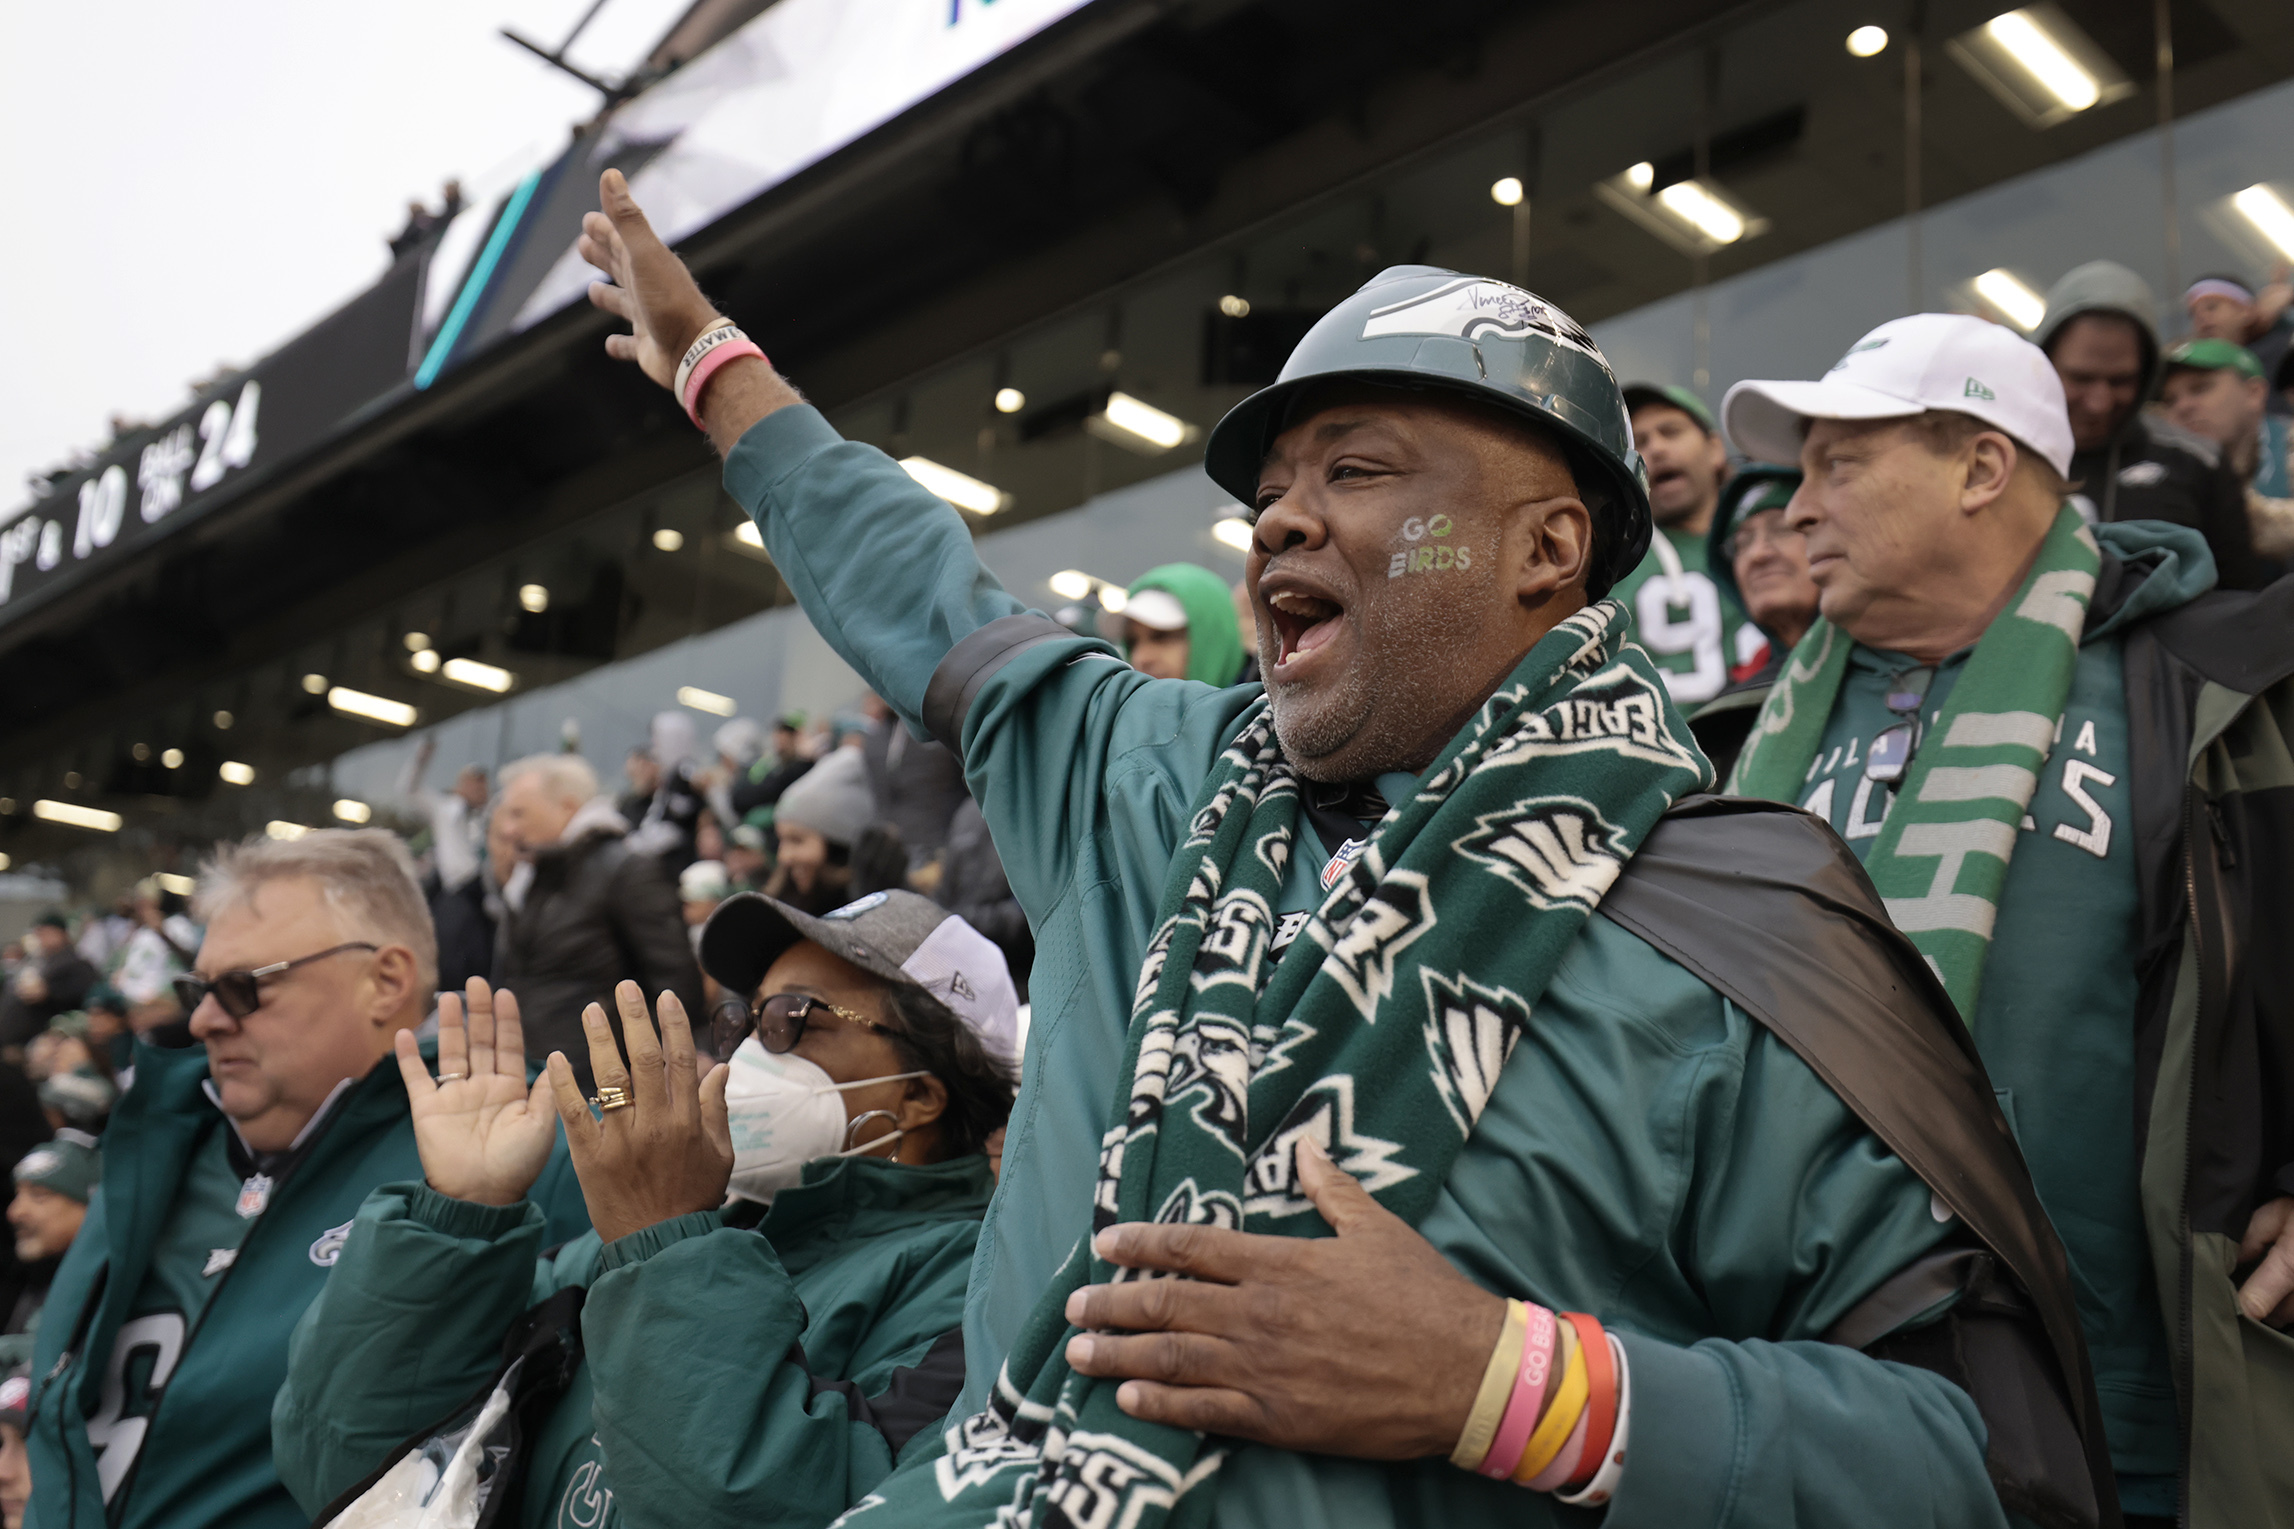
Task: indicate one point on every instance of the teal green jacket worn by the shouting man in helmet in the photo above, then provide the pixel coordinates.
(1644, 1113)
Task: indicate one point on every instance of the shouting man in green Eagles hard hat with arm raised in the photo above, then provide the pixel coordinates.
(1412, 1131)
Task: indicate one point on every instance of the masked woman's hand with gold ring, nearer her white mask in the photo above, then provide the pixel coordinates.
(669, 1150)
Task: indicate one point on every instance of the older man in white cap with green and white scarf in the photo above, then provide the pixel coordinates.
(2050, 748)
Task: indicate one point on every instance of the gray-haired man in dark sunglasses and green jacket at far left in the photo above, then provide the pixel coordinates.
(233, 1173)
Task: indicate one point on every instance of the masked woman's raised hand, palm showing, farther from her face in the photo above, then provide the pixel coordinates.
(483, 1134)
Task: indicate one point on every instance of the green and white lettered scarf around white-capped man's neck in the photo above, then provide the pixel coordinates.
(1942, 856)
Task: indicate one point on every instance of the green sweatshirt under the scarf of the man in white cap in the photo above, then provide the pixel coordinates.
(2057, 1017)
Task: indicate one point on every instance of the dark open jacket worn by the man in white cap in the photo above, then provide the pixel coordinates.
(2210, 728)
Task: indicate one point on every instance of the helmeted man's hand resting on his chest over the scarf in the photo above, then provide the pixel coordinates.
(1366, 1344)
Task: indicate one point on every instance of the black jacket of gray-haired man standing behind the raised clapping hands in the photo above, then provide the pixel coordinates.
(593, 916)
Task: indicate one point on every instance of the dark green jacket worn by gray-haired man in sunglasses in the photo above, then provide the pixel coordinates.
(203, 1457)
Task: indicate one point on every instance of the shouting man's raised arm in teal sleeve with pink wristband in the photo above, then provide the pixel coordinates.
(1050, 726)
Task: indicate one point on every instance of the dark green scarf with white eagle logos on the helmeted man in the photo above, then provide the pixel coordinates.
(1378, 1035)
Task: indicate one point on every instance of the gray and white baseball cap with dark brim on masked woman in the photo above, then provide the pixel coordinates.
(898, 936)
